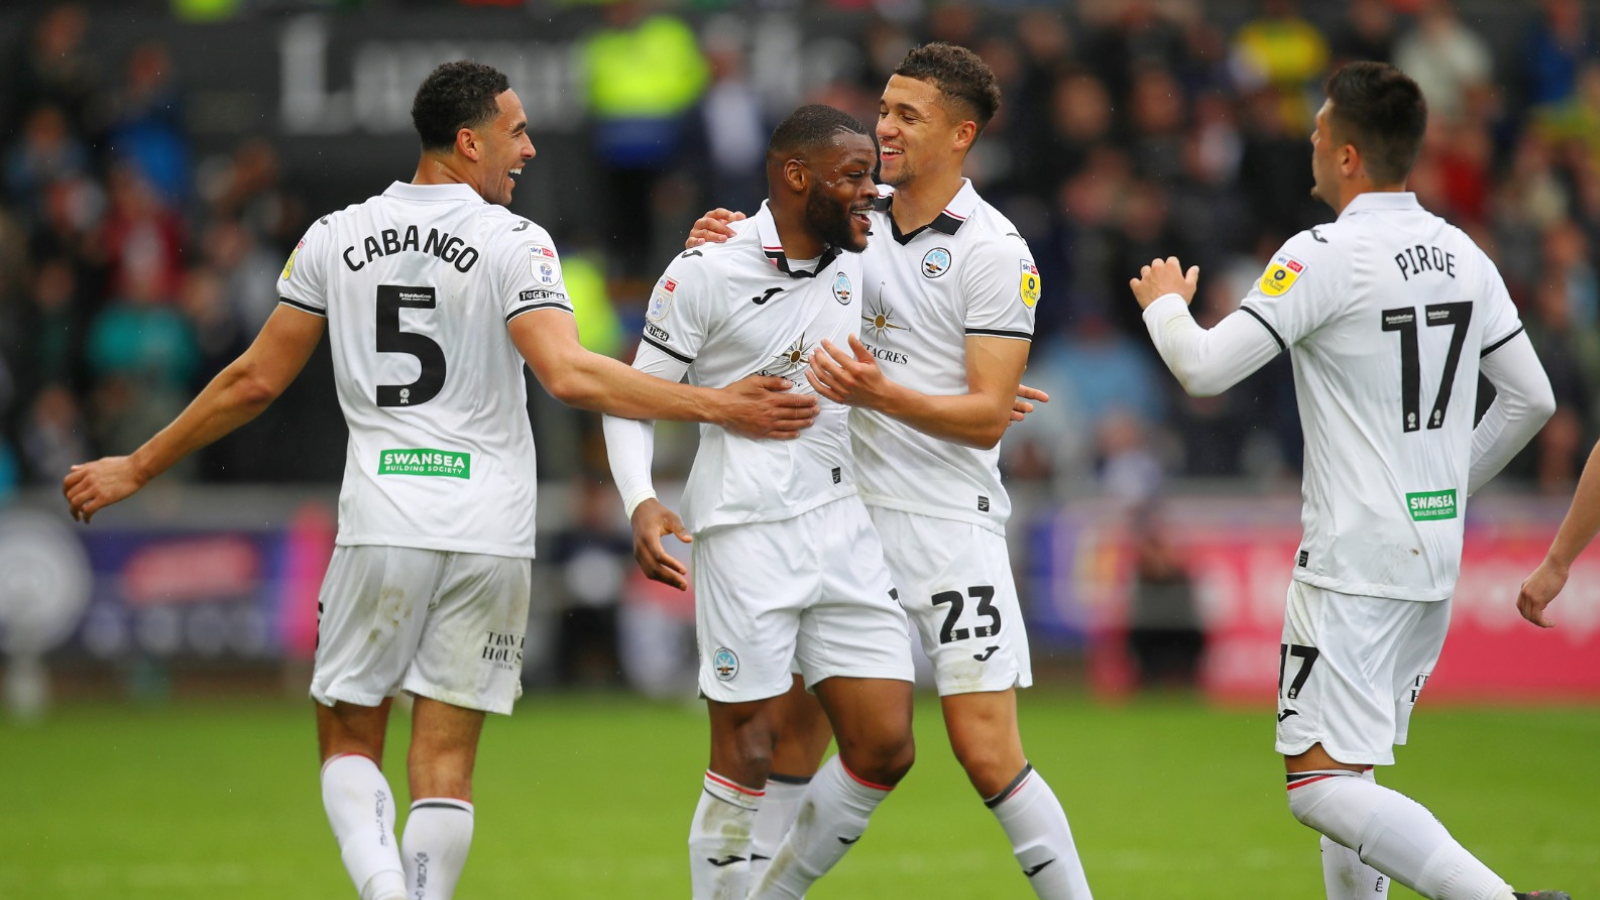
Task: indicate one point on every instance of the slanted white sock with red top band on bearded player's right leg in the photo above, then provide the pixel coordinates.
(831, 819)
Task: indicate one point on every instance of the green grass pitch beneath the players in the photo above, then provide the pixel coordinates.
(590, 797)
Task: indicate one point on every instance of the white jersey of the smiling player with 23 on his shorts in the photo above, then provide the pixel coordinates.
(969, 273)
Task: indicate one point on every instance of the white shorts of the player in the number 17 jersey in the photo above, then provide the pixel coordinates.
(1351, 670)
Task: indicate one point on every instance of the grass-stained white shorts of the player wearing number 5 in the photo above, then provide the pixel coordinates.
(441, 625)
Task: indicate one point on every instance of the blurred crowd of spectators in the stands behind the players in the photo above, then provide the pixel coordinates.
(132, 268)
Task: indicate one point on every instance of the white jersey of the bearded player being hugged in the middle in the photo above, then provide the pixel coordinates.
(735, 310)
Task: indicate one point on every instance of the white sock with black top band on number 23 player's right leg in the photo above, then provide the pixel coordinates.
(1041, 837)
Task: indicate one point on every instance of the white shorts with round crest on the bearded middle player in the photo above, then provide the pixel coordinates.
(812, 590)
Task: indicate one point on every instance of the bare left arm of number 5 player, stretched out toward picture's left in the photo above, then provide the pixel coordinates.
(236, 396)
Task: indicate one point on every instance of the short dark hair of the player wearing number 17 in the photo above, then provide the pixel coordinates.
(1383, 113)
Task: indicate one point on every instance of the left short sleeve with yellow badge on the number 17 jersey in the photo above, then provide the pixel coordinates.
(1290, 299)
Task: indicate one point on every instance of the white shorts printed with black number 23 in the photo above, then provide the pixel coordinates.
(956, 585)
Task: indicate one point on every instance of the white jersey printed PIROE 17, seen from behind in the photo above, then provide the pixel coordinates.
(1386, 315)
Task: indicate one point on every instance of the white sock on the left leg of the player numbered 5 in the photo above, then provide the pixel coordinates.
(362, 816)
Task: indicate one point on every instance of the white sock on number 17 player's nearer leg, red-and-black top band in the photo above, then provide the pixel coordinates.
(1394, 835)
